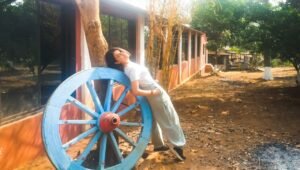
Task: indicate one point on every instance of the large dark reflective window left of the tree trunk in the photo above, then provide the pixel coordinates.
(36, 54)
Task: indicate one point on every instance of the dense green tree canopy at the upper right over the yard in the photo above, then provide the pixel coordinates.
(253, 25)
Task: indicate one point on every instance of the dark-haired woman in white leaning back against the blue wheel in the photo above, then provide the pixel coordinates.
(142, 84)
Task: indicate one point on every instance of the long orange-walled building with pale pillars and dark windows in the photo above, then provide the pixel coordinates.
(42, 43)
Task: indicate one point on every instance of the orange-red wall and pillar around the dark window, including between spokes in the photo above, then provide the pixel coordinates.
(21, 141)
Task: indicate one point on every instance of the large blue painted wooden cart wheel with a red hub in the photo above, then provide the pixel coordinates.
(127, 141)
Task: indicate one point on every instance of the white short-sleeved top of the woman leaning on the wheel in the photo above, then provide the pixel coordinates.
(138, 72)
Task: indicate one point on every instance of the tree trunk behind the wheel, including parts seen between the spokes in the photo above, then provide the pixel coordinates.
(97, 46)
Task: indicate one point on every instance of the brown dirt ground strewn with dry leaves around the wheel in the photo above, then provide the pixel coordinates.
(230, 120)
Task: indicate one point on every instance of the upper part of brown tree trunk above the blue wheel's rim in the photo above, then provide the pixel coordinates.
(90, 17)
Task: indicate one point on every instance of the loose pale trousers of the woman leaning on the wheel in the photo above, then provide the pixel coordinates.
(165, 119)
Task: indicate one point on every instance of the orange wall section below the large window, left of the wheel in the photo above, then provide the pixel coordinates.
(20, 142)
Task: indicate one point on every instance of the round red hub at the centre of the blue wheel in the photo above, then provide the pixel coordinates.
(109, 121)
